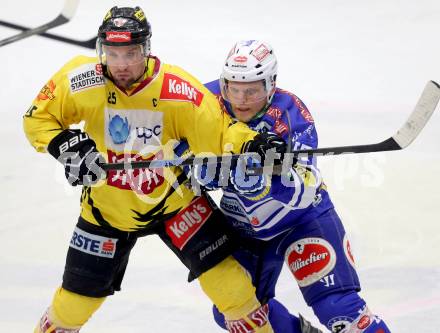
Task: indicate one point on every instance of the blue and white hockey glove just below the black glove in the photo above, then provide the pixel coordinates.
(243, 183)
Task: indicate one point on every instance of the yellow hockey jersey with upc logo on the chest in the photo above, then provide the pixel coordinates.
(143, 123)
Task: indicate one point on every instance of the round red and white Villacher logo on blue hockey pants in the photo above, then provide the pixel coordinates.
(310, 259)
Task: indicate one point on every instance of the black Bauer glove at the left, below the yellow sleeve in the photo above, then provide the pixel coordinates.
(77, 152)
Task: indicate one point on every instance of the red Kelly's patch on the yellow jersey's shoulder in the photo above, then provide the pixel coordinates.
(175, 88)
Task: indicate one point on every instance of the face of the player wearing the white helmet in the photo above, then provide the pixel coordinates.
(246, 98)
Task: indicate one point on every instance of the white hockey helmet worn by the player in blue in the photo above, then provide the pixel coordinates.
(250, 61)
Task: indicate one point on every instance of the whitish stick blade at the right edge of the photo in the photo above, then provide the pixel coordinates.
(419, 117)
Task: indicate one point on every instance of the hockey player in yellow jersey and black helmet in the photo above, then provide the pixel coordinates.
(134, 107)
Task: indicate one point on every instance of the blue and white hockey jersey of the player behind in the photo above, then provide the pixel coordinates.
(290, 199)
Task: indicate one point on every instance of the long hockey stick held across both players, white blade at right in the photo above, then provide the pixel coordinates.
(401, 139)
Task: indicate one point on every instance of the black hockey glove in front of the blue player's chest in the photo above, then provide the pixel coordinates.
(263, 142)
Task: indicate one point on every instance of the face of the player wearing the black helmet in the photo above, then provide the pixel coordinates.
(125, 63)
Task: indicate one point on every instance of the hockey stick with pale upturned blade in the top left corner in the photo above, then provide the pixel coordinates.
(65, 16)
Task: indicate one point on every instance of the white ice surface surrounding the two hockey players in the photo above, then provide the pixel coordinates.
(360, 66)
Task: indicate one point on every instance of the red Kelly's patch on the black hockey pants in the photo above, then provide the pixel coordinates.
(185, 225)
